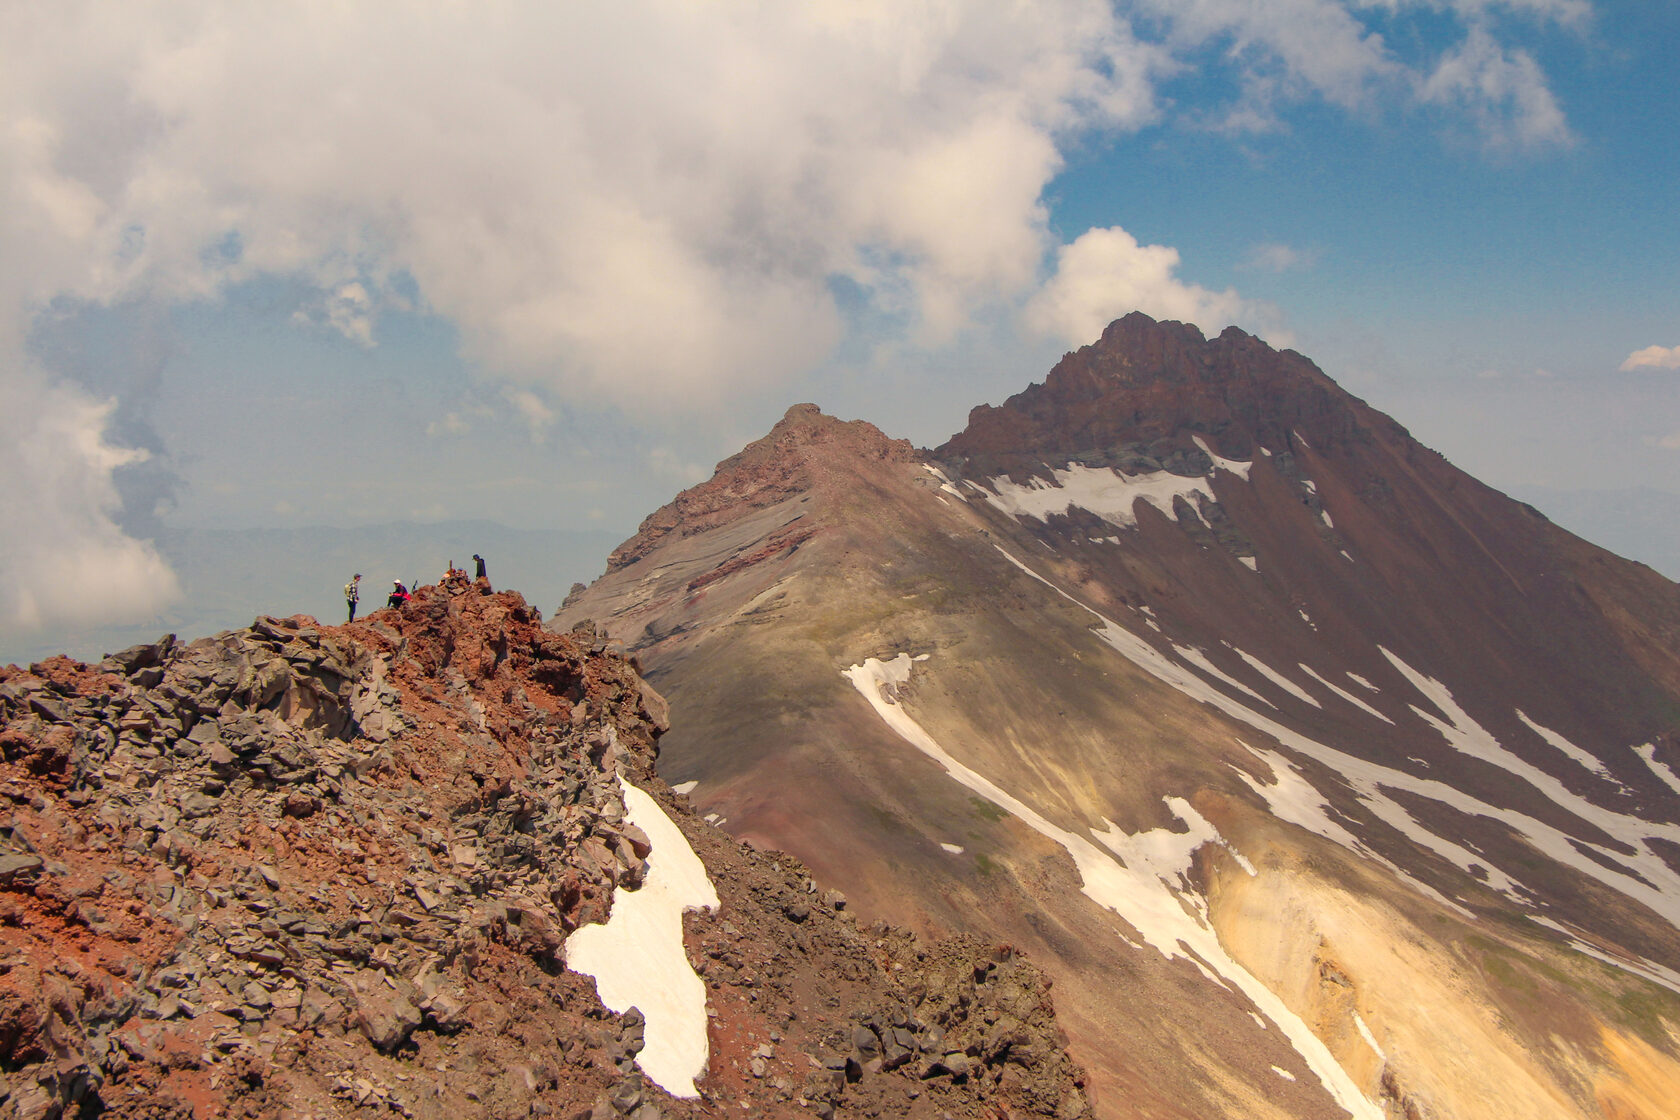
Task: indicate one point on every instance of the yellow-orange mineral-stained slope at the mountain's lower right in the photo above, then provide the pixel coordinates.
(1409, 1018)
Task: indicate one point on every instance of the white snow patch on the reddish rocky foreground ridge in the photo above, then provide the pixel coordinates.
(638, 958)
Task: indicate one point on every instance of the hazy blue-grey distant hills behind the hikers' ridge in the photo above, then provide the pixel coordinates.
(231, 577)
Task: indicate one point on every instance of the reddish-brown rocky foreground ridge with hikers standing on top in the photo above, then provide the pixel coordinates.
(308, 872)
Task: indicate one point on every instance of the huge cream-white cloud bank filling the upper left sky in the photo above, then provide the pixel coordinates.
(638, 233)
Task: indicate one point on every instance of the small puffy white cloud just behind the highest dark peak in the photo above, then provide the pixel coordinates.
(1106, 275)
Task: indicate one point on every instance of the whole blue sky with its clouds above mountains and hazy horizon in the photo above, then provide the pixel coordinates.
(549, 264)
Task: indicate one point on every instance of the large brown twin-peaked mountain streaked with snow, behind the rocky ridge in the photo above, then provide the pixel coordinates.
(1323, 778)
